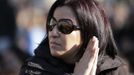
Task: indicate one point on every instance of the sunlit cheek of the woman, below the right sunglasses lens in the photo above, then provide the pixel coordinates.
(73, 39)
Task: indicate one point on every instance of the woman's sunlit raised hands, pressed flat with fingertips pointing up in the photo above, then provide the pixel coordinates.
(88, 63)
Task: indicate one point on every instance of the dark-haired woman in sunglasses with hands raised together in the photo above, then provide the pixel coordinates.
(79, 42)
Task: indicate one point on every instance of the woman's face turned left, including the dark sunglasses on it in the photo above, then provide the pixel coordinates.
(62, 43)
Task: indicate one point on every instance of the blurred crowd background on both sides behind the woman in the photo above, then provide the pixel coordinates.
(22, 28)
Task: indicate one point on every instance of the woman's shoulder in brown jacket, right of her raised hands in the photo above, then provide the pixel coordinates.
(116, 65)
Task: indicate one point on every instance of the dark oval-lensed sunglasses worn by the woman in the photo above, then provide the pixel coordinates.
(64, 25)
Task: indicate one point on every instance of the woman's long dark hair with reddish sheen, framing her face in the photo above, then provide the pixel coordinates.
(93, 22)
